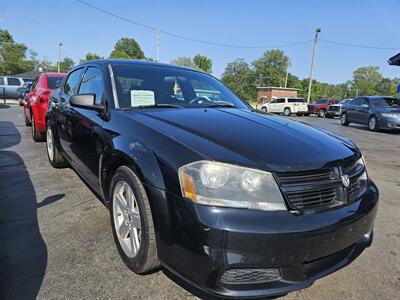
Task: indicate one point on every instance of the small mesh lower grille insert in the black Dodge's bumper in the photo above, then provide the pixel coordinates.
(250, 276)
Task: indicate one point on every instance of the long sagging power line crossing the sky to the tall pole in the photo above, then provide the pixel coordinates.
(178, 36)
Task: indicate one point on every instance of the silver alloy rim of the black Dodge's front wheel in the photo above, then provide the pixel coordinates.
(126, 215)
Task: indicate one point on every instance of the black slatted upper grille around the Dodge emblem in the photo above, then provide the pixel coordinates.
(322, 189)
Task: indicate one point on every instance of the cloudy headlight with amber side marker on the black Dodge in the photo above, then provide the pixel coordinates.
(220, 184)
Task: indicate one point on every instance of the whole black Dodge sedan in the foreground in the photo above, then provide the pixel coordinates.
(234, 202)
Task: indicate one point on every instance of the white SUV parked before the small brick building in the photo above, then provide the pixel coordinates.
(287, 106)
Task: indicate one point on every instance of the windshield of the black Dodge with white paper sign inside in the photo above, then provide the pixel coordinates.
(162, 86)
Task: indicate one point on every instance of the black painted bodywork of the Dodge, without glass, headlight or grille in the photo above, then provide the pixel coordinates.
(198, 242)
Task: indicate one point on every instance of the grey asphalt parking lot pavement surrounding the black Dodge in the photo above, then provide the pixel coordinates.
(56, 240)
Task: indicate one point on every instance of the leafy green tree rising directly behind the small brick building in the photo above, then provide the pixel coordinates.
(270, 68)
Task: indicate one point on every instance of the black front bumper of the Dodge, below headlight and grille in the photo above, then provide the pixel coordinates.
(204, 242)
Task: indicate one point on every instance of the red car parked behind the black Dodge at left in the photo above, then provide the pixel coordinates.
(36, 102)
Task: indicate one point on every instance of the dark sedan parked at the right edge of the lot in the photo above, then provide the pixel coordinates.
(377, 112)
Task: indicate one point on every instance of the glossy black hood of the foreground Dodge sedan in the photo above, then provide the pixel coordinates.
(246, 137)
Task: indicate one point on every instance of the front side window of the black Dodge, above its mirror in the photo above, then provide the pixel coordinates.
(93, 83)
